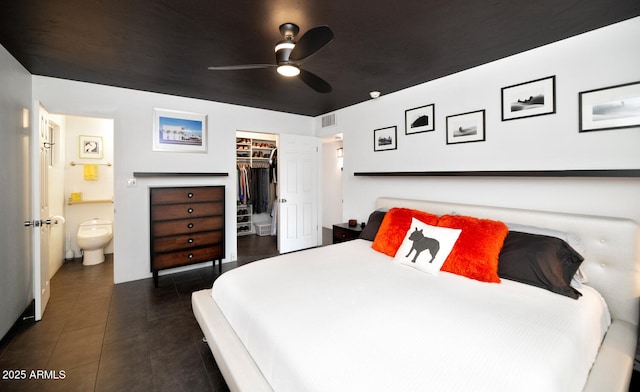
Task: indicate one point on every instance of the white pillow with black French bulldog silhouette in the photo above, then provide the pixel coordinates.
(426, 247)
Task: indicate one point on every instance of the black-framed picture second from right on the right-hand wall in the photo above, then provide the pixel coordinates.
(534, 98)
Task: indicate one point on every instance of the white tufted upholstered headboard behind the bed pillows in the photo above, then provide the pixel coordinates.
(612, 256)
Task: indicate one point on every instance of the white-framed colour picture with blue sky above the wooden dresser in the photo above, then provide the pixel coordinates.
(179, 131)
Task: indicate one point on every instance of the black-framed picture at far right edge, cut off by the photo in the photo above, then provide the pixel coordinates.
(610, 107)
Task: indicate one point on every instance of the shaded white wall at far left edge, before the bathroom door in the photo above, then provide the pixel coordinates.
(16, 272)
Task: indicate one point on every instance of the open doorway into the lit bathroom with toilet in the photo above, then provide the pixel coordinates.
(82, 185)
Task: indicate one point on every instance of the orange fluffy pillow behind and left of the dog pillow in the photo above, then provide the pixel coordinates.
(394, 227)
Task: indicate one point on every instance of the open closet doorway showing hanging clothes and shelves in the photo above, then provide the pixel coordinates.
(256, 195)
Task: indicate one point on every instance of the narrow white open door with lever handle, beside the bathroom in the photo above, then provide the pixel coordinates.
(40, 208)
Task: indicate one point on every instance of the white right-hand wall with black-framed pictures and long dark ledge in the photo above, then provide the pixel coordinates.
(600, 58)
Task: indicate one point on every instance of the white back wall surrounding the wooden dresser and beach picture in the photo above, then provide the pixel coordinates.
(132, 112)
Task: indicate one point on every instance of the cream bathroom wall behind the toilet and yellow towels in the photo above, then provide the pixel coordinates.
(98, 190)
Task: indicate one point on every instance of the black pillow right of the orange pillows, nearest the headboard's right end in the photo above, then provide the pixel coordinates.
(540, 261)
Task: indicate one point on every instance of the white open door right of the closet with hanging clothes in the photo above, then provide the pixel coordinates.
(298, 192)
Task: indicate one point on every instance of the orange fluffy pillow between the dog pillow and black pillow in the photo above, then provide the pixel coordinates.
(475, 254)
